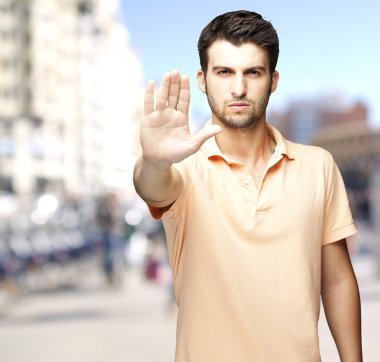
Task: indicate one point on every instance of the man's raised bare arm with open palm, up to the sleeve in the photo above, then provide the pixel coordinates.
(165, 139)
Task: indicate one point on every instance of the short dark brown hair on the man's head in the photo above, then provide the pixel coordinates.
(240, 27)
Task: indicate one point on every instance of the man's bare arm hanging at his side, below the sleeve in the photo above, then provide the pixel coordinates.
(341, 301)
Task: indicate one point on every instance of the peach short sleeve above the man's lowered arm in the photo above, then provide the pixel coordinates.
(338, 221)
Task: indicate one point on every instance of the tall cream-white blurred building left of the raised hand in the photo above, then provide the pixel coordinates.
(70, 97)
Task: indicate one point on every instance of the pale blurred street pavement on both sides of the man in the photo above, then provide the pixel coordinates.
(90, 321)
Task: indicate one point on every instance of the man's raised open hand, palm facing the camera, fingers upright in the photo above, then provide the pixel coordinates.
(164, 135)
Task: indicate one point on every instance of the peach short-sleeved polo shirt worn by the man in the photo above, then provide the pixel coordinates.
(246, 261)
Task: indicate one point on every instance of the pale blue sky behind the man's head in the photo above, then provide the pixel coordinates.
(328, 48)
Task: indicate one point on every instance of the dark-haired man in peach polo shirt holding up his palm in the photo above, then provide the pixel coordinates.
(255, 224)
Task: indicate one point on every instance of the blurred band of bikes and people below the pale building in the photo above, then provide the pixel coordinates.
(39, 245)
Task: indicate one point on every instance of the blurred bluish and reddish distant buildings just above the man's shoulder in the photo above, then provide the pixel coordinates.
(302, 119)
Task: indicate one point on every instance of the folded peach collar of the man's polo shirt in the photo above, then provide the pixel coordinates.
(211, 148)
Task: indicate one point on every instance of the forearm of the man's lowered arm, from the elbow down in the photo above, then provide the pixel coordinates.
(341, 303)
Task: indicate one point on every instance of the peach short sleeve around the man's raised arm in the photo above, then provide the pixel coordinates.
(171, 208)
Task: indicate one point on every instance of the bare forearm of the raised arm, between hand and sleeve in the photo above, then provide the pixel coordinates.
(156, 185)
